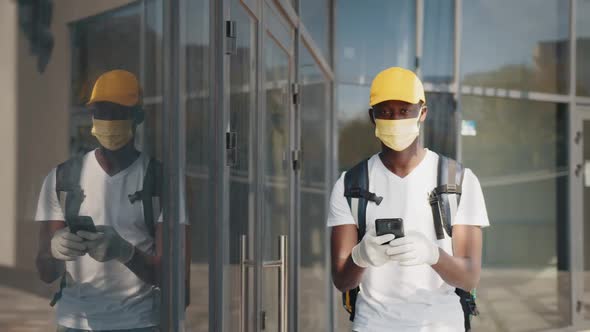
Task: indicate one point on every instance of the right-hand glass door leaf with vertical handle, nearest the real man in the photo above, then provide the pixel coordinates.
(276, 214)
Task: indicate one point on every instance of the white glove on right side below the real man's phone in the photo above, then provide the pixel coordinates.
(413, 249)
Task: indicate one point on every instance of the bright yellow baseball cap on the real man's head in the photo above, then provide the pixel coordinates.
(396, 83)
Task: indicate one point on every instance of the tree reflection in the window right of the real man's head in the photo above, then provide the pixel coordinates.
(514, 136)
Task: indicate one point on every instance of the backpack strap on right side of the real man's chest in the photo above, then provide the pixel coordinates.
(445, 198)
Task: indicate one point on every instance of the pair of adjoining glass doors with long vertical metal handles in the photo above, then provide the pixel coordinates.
(260, 184)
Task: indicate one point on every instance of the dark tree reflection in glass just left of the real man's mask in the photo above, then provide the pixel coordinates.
(356, 141)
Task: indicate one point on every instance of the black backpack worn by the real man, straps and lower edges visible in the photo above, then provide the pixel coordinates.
(449, 180)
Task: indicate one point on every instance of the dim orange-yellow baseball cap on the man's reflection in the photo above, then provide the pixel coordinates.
(116, 86)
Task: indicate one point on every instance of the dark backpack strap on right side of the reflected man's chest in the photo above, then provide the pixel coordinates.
(150, 195)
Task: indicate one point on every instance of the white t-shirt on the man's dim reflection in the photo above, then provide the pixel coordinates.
(106, 296)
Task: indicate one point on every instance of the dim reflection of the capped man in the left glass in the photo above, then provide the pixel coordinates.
(97, 221)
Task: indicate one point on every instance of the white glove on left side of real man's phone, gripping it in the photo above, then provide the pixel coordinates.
(371, 251)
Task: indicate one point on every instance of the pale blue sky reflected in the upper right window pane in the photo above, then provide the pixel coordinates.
(502, 32)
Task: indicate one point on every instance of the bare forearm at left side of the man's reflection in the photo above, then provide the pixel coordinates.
(49, 268)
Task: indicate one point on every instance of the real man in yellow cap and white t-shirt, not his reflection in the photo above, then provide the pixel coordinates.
(409, 283)
